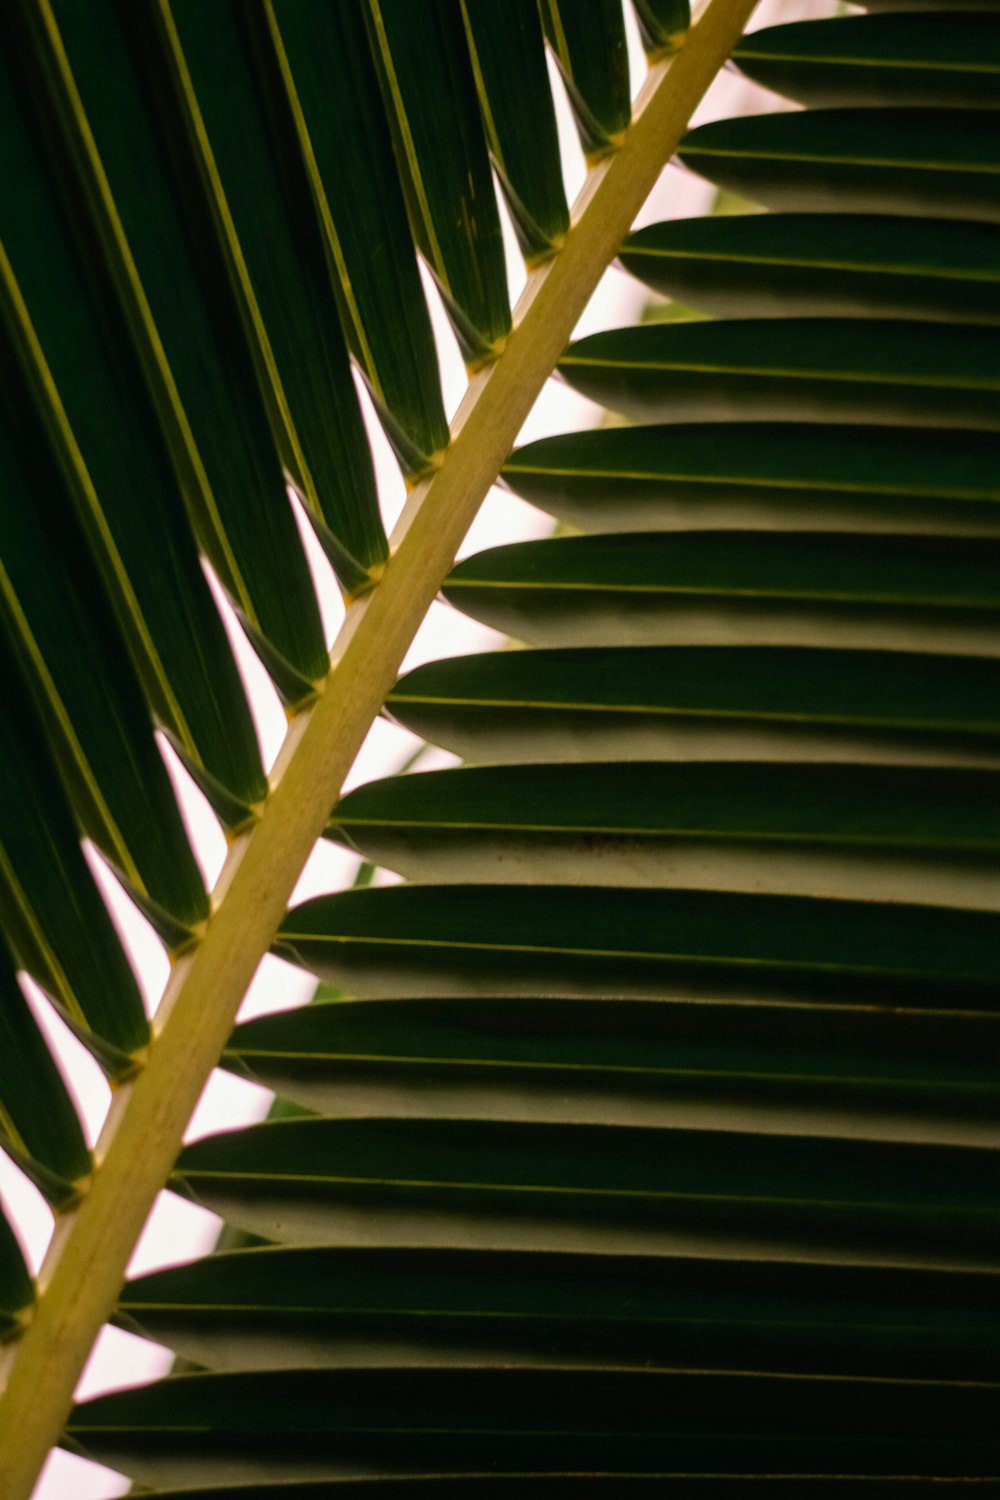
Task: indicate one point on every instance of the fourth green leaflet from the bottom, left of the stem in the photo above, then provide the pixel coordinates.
(76, 664)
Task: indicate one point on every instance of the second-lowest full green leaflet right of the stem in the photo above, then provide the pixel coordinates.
(326, 1306)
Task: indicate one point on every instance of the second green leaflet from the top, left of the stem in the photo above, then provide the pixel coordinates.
(588, 43)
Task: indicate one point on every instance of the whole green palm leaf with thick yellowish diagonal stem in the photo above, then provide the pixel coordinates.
(653, 1136)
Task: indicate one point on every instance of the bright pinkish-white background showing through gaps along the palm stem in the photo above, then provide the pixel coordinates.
(179, 1231)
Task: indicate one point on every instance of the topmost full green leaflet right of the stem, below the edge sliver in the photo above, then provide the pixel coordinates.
(885, 61)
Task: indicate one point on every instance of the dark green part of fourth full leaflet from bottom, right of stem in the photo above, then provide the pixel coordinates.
(903, 1051)
